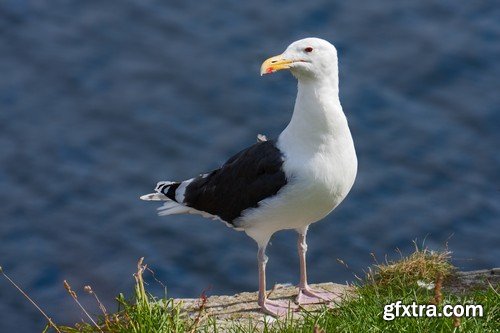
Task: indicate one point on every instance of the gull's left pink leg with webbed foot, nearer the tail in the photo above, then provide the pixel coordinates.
(275, 308)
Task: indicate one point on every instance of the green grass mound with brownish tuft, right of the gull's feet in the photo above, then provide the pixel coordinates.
(392, 281)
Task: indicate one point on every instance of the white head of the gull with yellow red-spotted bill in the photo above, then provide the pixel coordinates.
(309, 58)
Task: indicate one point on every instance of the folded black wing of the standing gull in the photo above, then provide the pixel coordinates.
(245, 179)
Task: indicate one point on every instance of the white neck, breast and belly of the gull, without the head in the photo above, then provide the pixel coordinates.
(320, 164)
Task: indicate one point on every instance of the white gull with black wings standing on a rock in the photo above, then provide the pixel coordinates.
(287, 183)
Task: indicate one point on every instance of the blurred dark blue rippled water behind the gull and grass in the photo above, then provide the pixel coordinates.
(100, 100)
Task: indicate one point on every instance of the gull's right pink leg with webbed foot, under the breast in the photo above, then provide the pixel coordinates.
(307, 295)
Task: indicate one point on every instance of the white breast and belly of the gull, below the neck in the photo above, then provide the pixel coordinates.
(318, 181)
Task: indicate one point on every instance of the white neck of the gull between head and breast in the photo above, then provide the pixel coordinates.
(317, 117)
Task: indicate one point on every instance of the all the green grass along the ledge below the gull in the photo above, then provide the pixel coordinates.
(360, 312)
